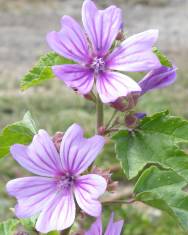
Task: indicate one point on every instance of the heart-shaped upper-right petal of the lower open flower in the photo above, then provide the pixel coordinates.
(77, 153)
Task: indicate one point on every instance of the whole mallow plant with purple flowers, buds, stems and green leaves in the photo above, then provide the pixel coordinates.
(68, 185)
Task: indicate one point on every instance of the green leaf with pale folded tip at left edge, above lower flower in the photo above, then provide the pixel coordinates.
(17, 133)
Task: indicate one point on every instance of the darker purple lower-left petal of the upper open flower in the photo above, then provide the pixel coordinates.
(75, 76)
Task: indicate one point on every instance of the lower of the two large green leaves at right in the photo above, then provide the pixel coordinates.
(162, 189)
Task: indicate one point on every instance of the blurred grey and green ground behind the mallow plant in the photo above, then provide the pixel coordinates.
(23, 28)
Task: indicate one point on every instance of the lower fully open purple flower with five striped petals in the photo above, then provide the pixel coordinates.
(51, 194)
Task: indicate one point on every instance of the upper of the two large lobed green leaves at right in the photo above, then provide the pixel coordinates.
(156, 141)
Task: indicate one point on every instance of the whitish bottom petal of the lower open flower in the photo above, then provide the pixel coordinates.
(59, 215)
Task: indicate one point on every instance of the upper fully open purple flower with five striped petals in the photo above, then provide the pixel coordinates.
(97, 59)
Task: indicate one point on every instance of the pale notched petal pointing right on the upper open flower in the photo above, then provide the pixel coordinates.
(135, 53)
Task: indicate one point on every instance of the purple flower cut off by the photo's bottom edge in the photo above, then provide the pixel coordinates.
(113, 228)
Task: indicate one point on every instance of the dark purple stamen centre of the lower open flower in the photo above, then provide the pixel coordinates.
(65, 182)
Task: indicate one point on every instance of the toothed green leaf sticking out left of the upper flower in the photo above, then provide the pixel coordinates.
(42, 70)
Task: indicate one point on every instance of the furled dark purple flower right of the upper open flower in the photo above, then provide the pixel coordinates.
(158, 78)
